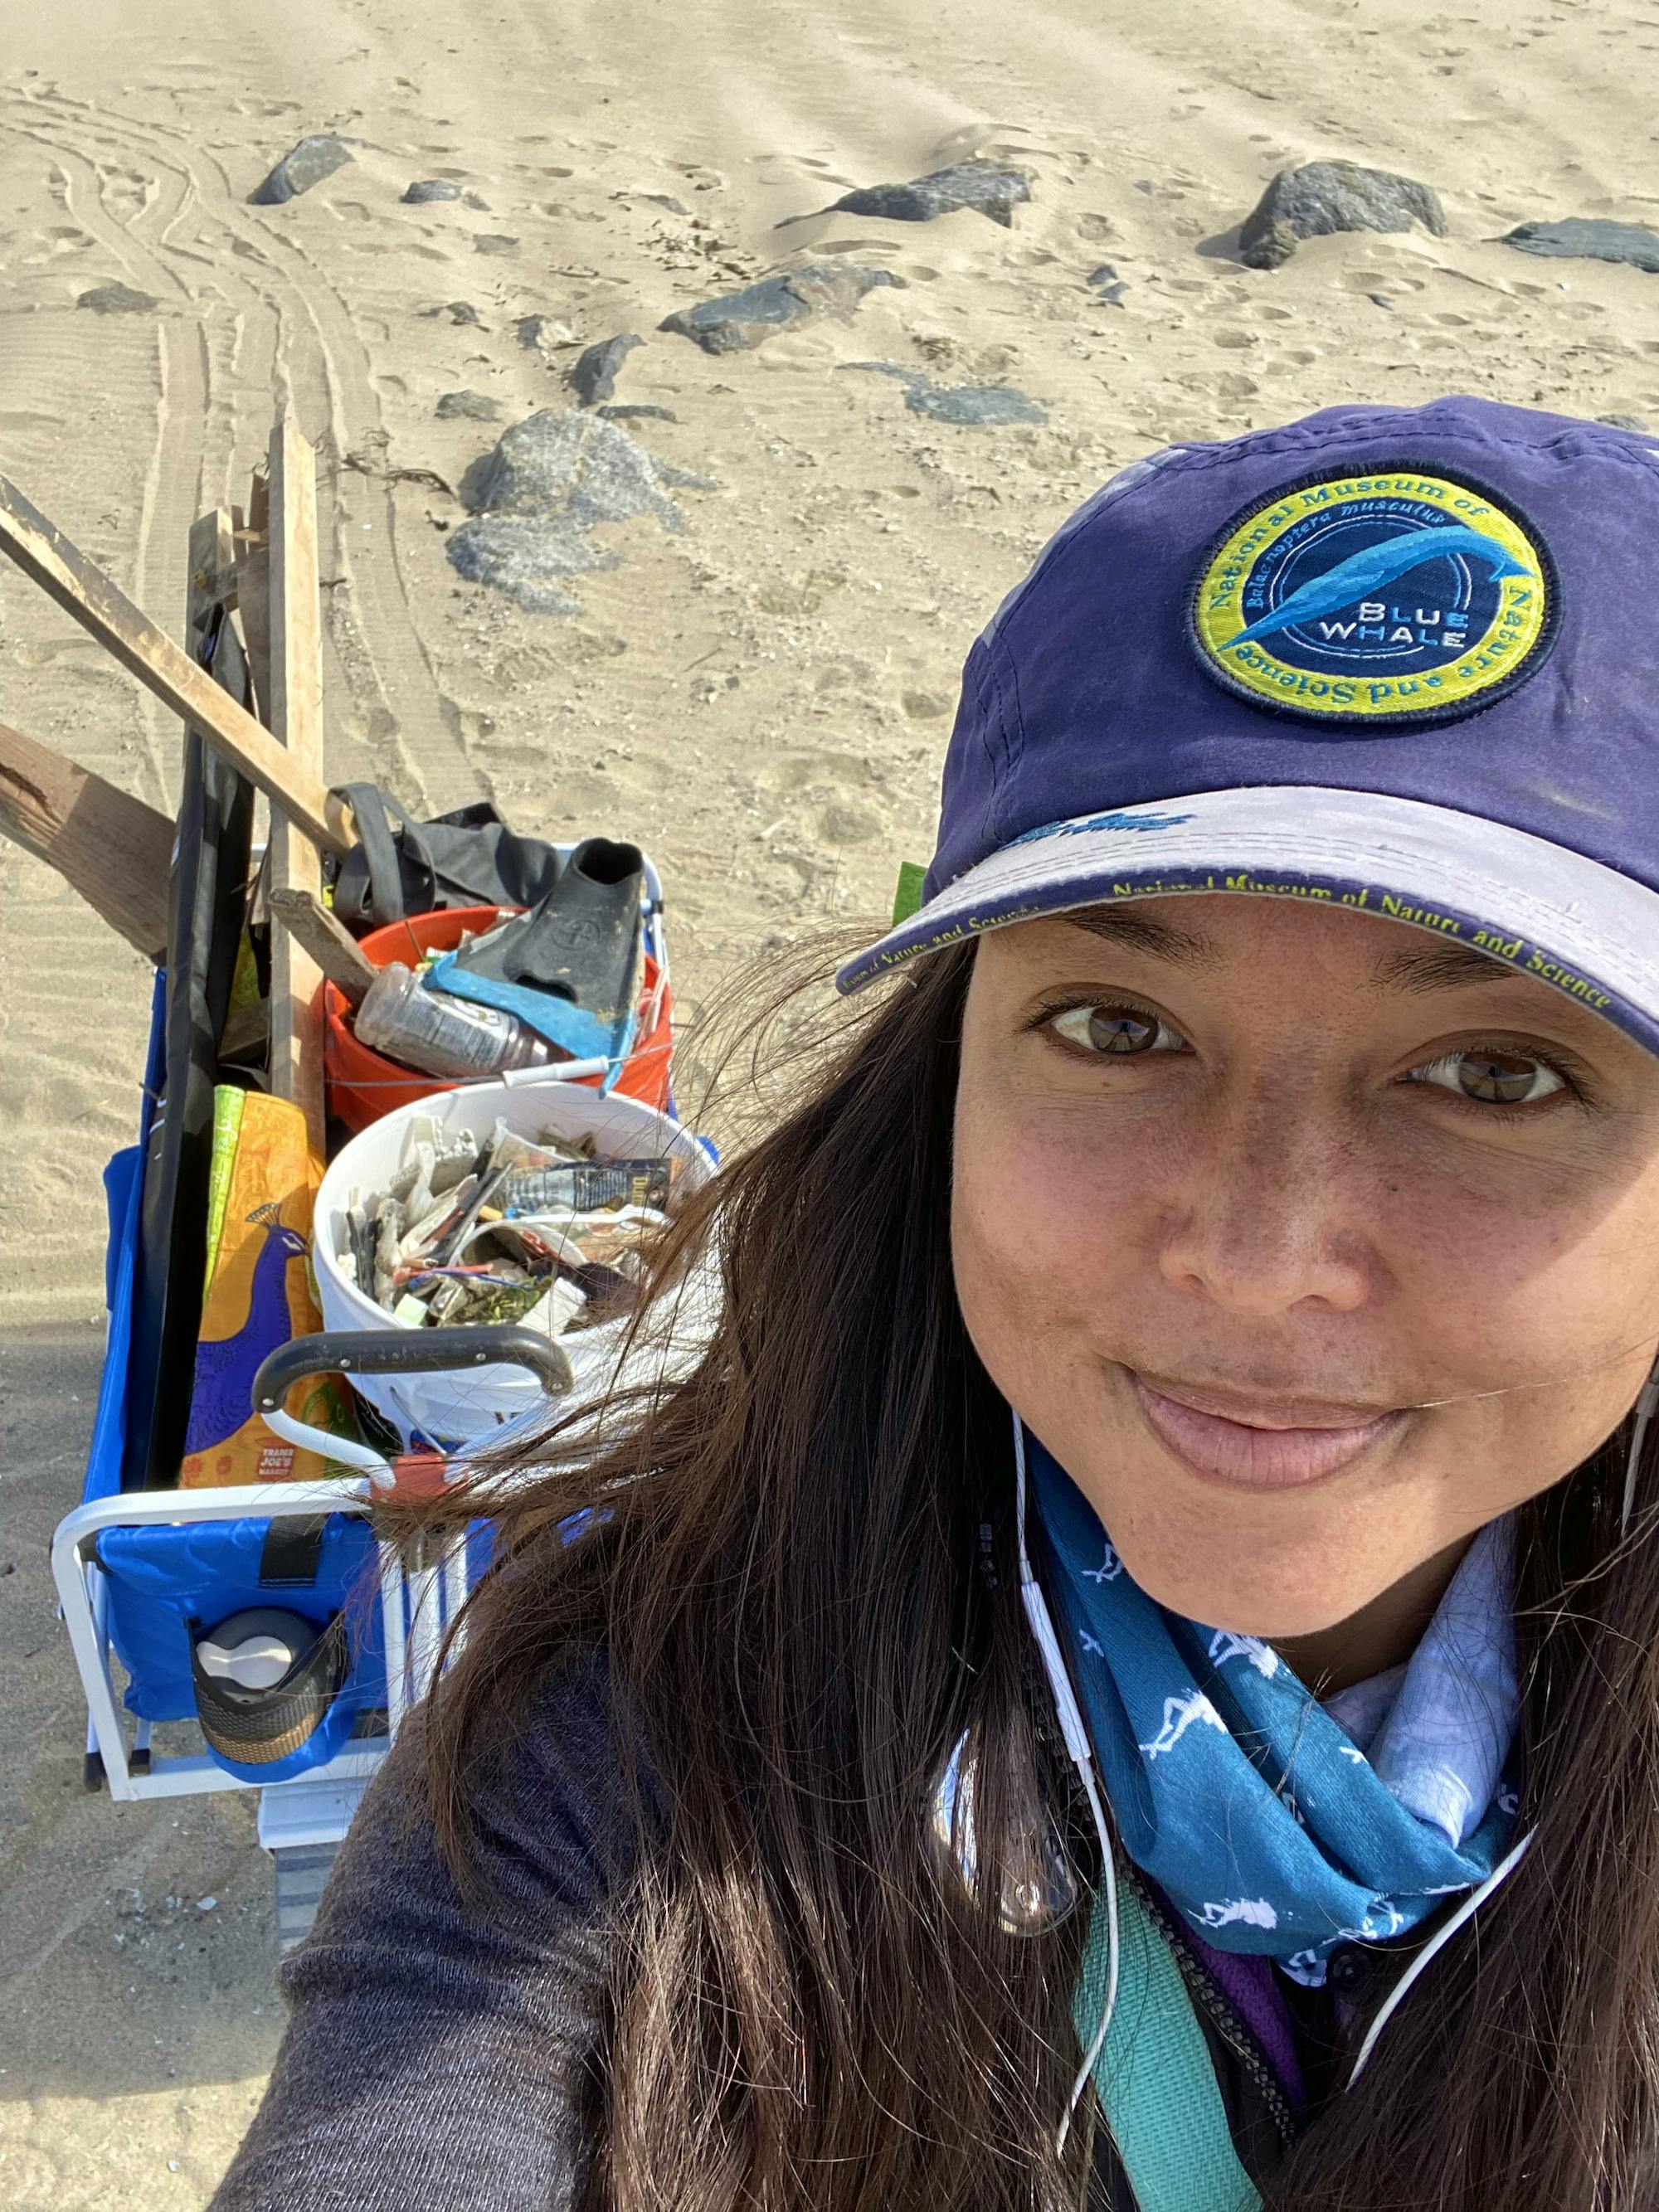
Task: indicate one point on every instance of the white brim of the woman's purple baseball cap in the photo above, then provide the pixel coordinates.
(1550, 912)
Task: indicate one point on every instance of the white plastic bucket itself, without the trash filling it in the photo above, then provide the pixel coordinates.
(452, 1410)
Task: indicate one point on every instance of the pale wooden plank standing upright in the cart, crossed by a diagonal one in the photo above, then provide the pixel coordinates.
(298, 724)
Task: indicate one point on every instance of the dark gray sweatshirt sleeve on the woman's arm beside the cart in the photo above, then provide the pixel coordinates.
(444, 2058)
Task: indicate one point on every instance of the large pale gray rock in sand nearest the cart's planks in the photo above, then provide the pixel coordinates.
(539, 499)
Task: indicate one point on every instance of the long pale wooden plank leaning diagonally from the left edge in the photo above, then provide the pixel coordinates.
(149, 654)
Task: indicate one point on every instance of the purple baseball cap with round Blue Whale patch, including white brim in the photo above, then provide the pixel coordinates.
(1392, 658)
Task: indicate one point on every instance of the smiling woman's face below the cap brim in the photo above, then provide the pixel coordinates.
(1304, 1240)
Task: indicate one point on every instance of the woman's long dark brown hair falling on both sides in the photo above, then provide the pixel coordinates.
(797, 1565)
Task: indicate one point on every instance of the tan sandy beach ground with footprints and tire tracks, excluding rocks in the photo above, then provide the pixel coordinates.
(758, 687)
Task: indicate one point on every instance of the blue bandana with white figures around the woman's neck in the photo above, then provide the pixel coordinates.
(1251, 1806)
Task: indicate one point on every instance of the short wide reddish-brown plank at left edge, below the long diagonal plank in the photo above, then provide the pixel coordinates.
(103, 842)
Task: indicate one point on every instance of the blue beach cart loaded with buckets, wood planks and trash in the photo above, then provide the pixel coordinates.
(244, 1609)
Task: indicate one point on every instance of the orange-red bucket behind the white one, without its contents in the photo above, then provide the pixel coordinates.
(364, 1085)
